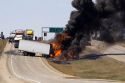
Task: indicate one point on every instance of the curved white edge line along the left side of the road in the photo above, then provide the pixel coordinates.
(20, 77)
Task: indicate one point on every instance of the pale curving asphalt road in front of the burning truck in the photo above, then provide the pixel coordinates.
(15, 68)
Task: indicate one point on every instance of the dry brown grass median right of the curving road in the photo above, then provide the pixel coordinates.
(102, 68)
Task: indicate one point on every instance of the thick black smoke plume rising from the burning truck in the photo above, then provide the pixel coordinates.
(105, 18)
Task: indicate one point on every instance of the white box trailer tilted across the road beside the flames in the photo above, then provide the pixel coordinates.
(34, 47)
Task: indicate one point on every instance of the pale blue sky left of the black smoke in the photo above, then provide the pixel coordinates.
(23, 14)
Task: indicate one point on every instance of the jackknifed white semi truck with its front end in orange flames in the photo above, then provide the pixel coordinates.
(52, 49)
